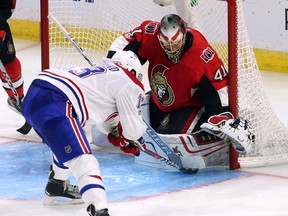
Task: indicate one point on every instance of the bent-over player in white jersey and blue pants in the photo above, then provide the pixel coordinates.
(59, 103)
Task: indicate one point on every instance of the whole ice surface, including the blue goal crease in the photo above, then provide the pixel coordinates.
(134, 190)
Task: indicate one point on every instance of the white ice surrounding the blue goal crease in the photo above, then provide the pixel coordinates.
(263, 192)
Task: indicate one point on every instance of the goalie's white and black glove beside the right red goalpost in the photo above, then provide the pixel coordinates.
(238, 130)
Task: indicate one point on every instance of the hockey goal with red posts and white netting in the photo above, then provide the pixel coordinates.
(96, 24)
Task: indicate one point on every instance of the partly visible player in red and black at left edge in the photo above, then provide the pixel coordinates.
(8, 57)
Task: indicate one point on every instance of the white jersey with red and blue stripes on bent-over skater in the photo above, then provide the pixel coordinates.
(103, 94)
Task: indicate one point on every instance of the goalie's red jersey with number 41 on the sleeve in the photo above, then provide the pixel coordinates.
(196, 78)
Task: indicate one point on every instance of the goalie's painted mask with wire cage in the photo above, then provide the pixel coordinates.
(172, 36)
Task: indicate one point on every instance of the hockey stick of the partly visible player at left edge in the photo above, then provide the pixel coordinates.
(26, 127)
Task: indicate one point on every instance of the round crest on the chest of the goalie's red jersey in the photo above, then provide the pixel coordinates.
(161, 87)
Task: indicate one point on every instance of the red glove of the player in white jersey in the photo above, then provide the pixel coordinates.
(117, 139)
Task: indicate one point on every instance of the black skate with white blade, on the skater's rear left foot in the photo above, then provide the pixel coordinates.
(61, 192)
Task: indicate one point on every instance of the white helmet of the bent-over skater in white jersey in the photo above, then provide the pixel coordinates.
(129, 61)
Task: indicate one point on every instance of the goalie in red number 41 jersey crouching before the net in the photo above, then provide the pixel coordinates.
(189, 83)
